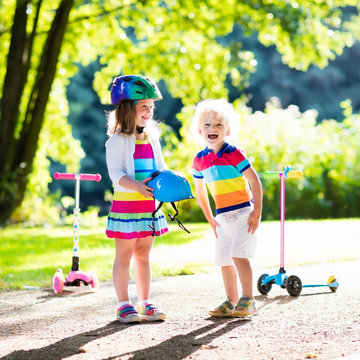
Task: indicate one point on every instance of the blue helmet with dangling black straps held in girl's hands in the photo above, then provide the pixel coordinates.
(169, 186)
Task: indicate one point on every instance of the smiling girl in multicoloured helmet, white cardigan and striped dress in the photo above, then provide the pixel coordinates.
(132, 152)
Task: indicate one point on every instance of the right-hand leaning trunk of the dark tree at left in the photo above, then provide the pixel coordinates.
(14, 176)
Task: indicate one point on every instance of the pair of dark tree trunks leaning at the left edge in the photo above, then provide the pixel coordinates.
(18, 150)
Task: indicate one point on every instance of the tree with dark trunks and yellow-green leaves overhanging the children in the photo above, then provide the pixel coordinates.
(177, 41)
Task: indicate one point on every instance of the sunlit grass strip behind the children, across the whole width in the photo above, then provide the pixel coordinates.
(30, 257)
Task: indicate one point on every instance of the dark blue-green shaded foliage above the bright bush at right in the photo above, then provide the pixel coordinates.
(320, 89)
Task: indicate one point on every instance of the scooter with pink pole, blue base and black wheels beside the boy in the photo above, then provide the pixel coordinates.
(292, 283)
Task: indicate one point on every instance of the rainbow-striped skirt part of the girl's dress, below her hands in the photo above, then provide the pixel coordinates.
(130, 217)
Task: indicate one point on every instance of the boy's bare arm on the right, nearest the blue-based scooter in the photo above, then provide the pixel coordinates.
(256, 189)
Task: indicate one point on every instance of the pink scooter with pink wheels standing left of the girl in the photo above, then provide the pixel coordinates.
(75, 277)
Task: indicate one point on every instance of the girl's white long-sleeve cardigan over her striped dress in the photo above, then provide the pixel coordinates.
(120, 161)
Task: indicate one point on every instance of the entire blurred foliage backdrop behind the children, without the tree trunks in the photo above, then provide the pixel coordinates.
(289, 68)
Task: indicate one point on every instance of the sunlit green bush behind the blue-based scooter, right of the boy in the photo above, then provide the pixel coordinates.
(326, 152)
